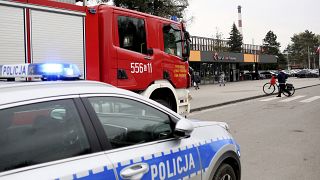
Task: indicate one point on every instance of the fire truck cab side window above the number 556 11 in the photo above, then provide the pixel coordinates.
(132, 34)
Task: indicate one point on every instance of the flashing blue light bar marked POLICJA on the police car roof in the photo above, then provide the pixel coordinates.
(45, 71)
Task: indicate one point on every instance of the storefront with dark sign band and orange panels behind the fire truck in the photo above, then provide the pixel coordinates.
(209, 65)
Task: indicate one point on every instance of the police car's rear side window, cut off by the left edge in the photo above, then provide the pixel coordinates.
(39, 133)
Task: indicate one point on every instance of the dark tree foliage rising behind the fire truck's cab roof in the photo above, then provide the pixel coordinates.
(161, 8)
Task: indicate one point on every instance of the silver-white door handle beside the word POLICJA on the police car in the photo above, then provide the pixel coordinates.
(135, 171)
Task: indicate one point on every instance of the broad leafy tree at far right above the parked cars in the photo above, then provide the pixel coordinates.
(302, 48)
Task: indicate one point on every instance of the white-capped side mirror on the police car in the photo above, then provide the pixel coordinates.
(183, 129)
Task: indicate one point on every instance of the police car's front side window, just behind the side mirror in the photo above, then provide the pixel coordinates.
(128, 122)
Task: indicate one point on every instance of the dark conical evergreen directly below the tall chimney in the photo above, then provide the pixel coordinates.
(235, 39)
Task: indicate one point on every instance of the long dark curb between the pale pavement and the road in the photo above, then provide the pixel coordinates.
(238, 100)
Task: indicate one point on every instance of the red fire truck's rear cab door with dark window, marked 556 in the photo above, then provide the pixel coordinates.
(134, 65)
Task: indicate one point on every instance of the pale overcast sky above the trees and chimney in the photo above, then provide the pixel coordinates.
(284, 17)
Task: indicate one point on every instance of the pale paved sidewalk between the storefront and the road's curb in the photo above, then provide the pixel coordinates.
(212, 95)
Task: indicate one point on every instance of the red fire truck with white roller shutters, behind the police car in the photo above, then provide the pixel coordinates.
(125, 48)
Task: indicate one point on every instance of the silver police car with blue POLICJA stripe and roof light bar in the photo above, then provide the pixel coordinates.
(91, 130)
